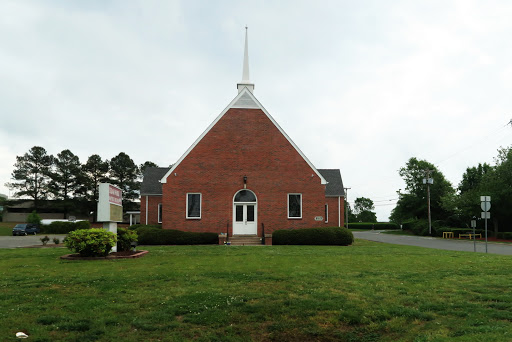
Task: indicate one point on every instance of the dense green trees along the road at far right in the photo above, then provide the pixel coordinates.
(455, 206)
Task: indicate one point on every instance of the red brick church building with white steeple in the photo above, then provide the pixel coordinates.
(242, 174)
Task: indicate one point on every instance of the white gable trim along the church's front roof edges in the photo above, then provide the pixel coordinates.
(248, 101)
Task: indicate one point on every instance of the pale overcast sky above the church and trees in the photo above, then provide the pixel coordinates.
(358, 85)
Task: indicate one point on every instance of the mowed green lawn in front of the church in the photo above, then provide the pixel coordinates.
(365, 292)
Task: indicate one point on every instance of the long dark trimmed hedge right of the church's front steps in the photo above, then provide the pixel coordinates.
(313, 236)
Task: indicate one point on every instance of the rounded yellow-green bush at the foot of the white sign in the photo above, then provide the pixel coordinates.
(94, 242)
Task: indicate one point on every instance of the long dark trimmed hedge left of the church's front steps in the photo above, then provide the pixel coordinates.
(158, 236)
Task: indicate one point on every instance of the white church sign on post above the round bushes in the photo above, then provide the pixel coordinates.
(110, 208)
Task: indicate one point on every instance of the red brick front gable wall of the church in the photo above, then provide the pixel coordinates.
(244, 142)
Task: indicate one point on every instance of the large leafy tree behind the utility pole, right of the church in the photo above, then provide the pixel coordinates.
(413, 203)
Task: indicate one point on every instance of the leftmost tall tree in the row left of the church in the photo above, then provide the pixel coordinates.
(31, 175)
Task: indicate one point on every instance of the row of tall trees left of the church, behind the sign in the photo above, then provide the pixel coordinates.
(74, 185)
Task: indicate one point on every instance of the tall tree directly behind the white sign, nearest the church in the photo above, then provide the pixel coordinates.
(124, 173)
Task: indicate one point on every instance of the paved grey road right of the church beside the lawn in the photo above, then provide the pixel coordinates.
(437, 243)
